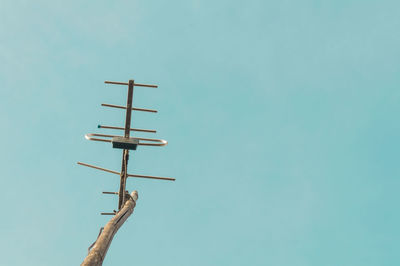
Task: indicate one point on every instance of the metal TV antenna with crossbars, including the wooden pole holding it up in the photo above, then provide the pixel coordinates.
(126, 201)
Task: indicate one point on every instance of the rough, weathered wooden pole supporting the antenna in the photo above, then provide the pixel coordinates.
(98, 252)
